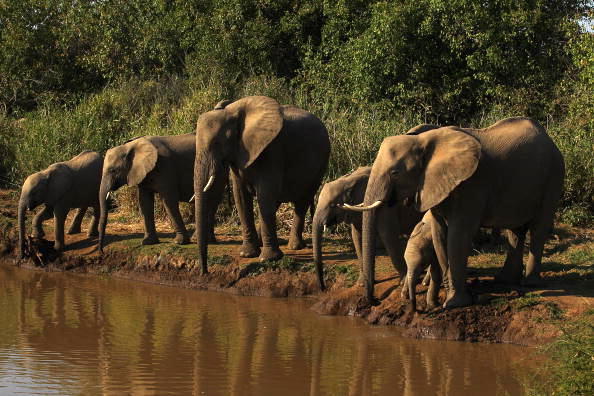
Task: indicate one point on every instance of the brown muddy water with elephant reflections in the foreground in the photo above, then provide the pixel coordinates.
(71, 334)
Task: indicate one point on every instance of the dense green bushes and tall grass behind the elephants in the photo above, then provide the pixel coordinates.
(78, 74)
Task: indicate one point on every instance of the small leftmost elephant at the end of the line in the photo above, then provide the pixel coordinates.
(61, 187)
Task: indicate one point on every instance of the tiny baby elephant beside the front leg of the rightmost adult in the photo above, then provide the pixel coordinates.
(418, 255)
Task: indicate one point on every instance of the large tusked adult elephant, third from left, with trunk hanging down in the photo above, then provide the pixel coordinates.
(276, 153)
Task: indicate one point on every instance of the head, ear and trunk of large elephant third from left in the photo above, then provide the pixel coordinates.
(234, 134)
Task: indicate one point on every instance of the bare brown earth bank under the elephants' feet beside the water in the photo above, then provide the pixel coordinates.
(517, 315)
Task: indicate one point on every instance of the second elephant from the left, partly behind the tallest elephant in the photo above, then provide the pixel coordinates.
(156, 164)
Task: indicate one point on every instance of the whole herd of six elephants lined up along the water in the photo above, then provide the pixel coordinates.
(425, 195)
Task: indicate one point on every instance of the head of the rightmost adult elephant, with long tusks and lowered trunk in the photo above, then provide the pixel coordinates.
(421, 169)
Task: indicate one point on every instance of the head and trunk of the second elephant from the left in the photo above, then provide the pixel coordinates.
(126, 164)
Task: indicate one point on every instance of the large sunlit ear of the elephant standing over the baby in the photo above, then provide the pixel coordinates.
(451, 156)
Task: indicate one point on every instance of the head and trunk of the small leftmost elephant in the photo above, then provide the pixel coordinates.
(45, 187)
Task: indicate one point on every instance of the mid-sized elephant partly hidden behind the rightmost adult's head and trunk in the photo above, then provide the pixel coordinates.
(350, 189)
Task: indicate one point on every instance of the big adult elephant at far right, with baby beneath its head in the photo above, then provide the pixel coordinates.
(509, 175)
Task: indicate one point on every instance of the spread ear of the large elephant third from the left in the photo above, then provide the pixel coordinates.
(260, 121)
